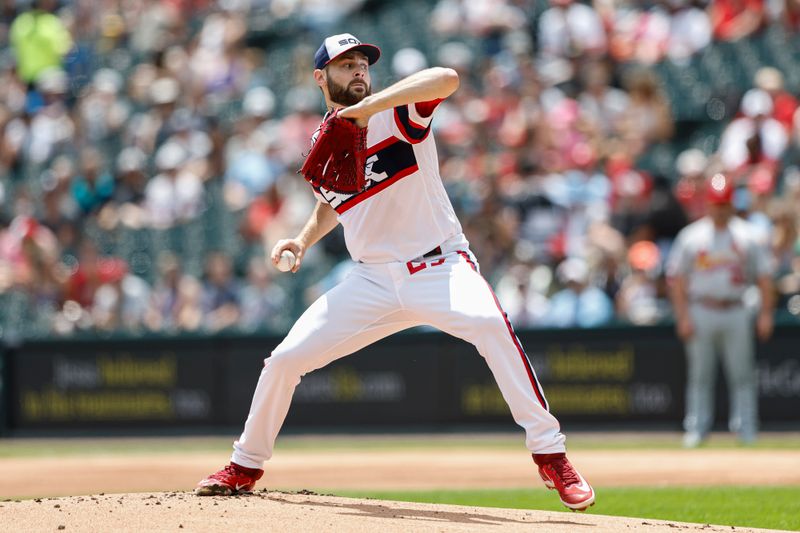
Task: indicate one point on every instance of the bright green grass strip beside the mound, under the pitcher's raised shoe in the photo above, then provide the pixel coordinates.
(762, 507)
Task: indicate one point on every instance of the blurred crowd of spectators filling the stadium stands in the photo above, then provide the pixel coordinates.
(126, 115)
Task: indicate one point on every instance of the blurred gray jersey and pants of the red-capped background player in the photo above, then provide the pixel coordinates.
(719, 265)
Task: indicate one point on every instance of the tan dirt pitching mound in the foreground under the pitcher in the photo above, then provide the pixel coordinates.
(295, 512)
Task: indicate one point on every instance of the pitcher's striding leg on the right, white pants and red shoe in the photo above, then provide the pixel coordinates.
(456, 299)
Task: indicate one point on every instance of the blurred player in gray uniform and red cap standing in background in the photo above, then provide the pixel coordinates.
(712, 263)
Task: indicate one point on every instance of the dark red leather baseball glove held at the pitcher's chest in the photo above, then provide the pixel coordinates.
(337, 159)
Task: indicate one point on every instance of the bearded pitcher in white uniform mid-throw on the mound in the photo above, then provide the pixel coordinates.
(413, 263)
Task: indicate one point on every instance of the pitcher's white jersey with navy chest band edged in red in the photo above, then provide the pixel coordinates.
(404, 211)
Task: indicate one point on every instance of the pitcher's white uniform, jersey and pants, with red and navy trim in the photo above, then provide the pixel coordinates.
(414, 267)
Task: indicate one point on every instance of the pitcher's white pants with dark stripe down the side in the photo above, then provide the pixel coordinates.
(377, 300)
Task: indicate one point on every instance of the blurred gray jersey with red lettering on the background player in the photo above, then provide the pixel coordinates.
(718, 264)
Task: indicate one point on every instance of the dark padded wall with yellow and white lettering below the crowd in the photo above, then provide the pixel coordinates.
(608, 377)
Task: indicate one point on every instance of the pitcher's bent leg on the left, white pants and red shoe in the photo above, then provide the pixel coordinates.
(352, 315)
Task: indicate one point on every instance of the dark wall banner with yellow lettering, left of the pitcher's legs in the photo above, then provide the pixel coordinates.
(89, 385)
